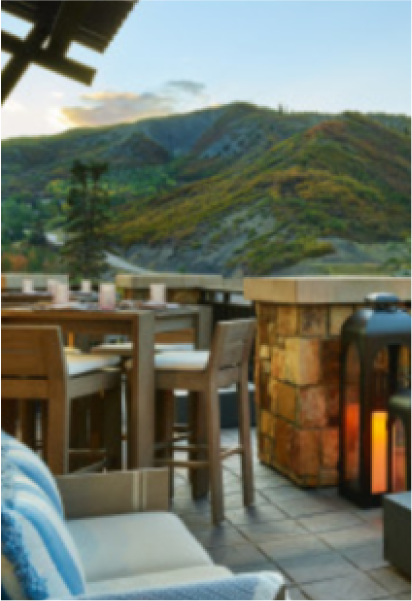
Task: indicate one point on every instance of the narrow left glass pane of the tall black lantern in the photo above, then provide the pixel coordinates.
(352, 417)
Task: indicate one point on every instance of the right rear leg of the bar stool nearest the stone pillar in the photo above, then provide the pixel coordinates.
(245, 441)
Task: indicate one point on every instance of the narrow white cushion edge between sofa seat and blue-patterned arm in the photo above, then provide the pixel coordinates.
(160, 580)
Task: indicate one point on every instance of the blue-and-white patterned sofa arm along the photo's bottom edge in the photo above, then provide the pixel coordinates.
(258, 587)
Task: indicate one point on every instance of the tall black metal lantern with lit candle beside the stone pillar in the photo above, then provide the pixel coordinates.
(375, 342)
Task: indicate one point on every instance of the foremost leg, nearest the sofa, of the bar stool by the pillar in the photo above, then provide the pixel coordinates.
(215, 458)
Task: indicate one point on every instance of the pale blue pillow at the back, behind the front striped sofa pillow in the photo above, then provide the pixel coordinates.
(28, 464)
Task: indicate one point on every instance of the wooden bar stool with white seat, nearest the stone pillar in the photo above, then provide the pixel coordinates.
(204, 373)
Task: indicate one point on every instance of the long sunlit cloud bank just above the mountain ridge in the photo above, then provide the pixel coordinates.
(110, 108)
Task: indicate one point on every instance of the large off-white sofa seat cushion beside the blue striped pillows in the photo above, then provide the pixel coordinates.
(132, 545)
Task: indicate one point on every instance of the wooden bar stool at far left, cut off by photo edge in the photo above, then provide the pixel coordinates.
(36, 367)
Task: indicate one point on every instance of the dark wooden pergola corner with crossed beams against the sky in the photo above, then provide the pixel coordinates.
(57, 24)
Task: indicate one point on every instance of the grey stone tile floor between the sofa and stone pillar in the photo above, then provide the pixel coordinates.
(327, 549)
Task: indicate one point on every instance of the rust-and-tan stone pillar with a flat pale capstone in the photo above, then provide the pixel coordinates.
(297, 369)
